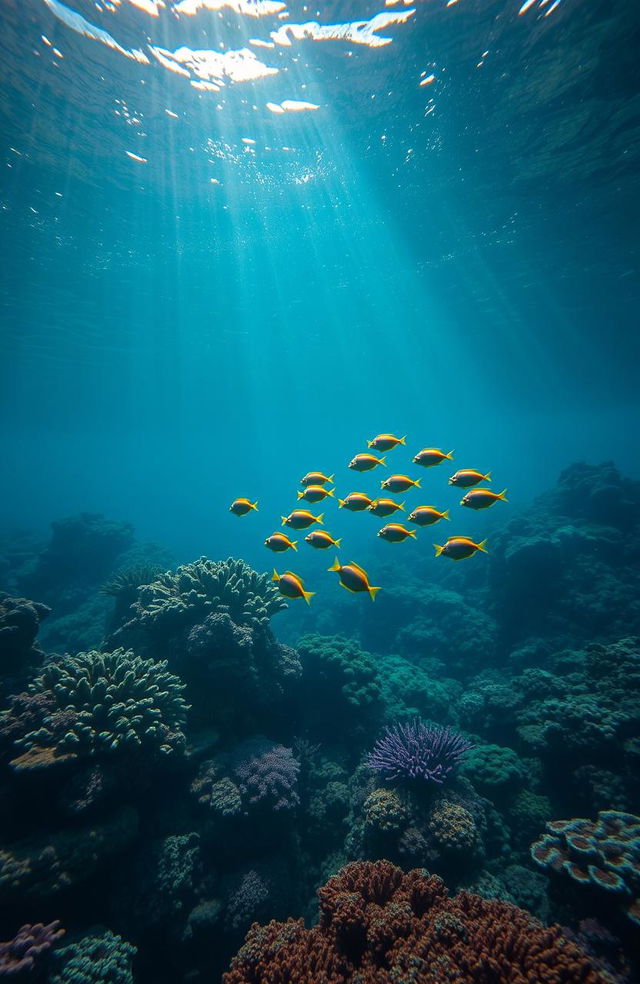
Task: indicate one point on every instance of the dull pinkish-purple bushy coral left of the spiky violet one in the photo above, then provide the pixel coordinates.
(267, 774)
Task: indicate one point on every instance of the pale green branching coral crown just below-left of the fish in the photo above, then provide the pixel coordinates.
(208, 586)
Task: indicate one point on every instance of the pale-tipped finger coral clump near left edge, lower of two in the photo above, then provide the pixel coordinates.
(106, 702)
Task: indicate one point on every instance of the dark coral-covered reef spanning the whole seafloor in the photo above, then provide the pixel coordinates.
(181, 773)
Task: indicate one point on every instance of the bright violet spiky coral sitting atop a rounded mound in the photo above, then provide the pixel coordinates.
(417, 751)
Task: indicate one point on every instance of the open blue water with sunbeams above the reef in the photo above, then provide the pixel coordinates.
(466, 273)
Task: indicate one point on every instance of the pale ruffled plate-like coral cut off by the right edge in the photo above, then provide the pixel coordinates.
(602, 854)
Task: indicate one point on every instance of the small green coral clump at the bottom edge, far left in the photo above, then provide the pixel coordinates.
(95, 959)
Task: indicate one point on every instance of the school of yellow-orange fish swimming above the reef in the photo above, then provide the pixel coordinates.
(315, 489)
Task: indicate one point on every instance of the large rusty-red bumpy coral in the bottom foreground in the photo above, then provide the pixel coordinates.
(380, 926)
